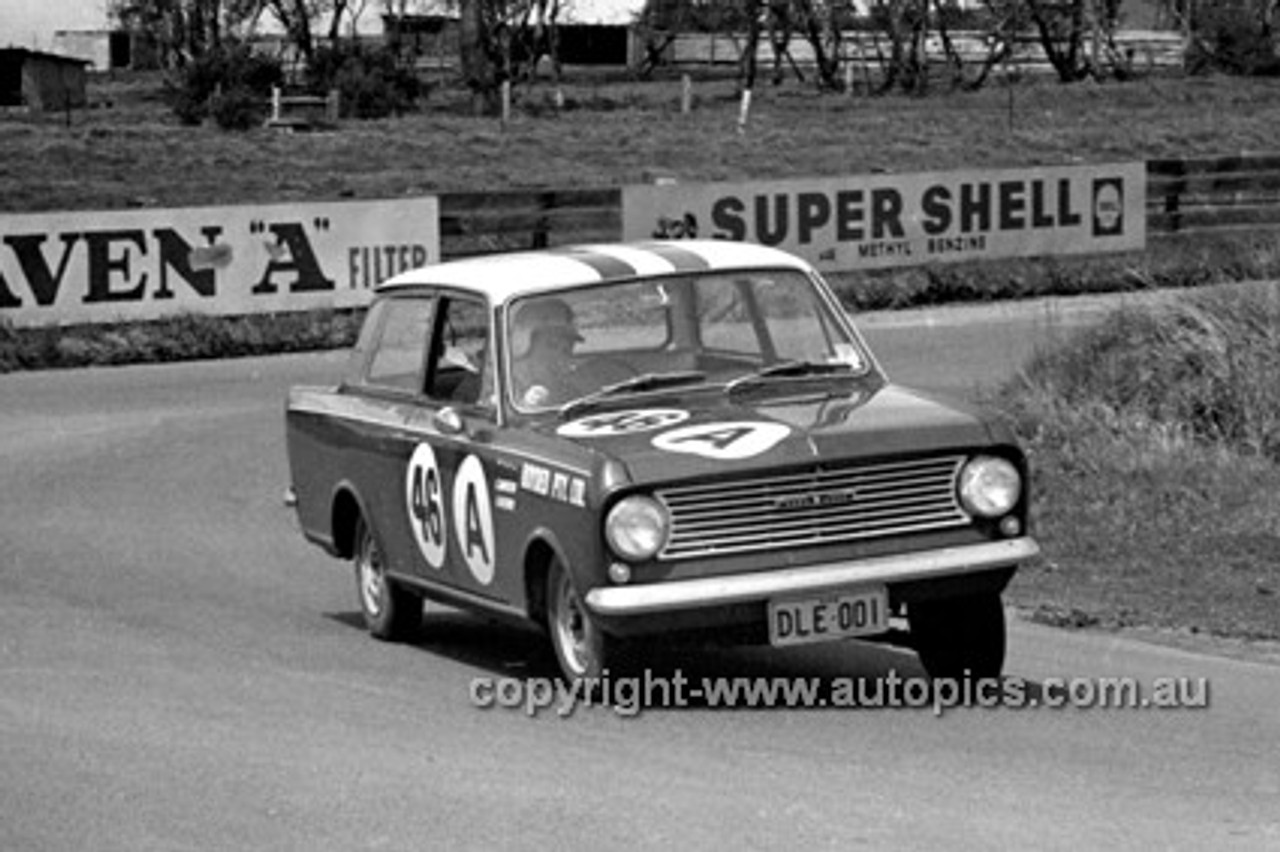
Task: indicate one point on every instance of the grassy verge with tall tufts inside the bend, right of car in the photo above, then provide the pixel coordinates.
(1155, 443)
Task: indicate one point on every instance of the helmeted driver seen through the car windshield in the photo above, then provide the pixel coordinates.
(543, 337)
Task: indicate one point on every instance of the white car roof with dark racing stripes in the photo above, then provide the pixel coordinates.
(506, 277)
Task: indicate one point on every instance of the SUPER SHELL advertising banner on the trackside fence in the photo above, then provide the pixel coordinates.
(876, 222)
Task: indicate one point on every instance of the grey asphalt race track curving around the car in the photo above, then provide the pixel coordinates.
(180, 671)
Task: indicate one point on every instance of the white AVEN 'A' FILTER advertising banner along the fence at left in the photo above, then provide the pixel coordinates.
(144, 264)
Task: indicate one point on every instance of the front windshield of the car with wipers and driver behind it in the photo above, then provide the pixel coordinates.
(674, 335)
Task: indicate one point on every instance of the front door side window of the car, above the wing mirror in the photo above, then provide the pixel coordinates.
(461, 369)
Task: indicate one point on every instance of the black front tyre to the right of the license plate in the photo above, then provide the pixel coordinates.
(959, 638)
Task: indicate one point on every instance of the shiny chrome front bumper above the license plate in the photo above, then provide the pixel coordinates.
(739, 589)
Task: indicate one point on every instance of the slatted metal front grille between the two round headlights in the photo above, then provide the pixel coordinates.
(813, 507)
